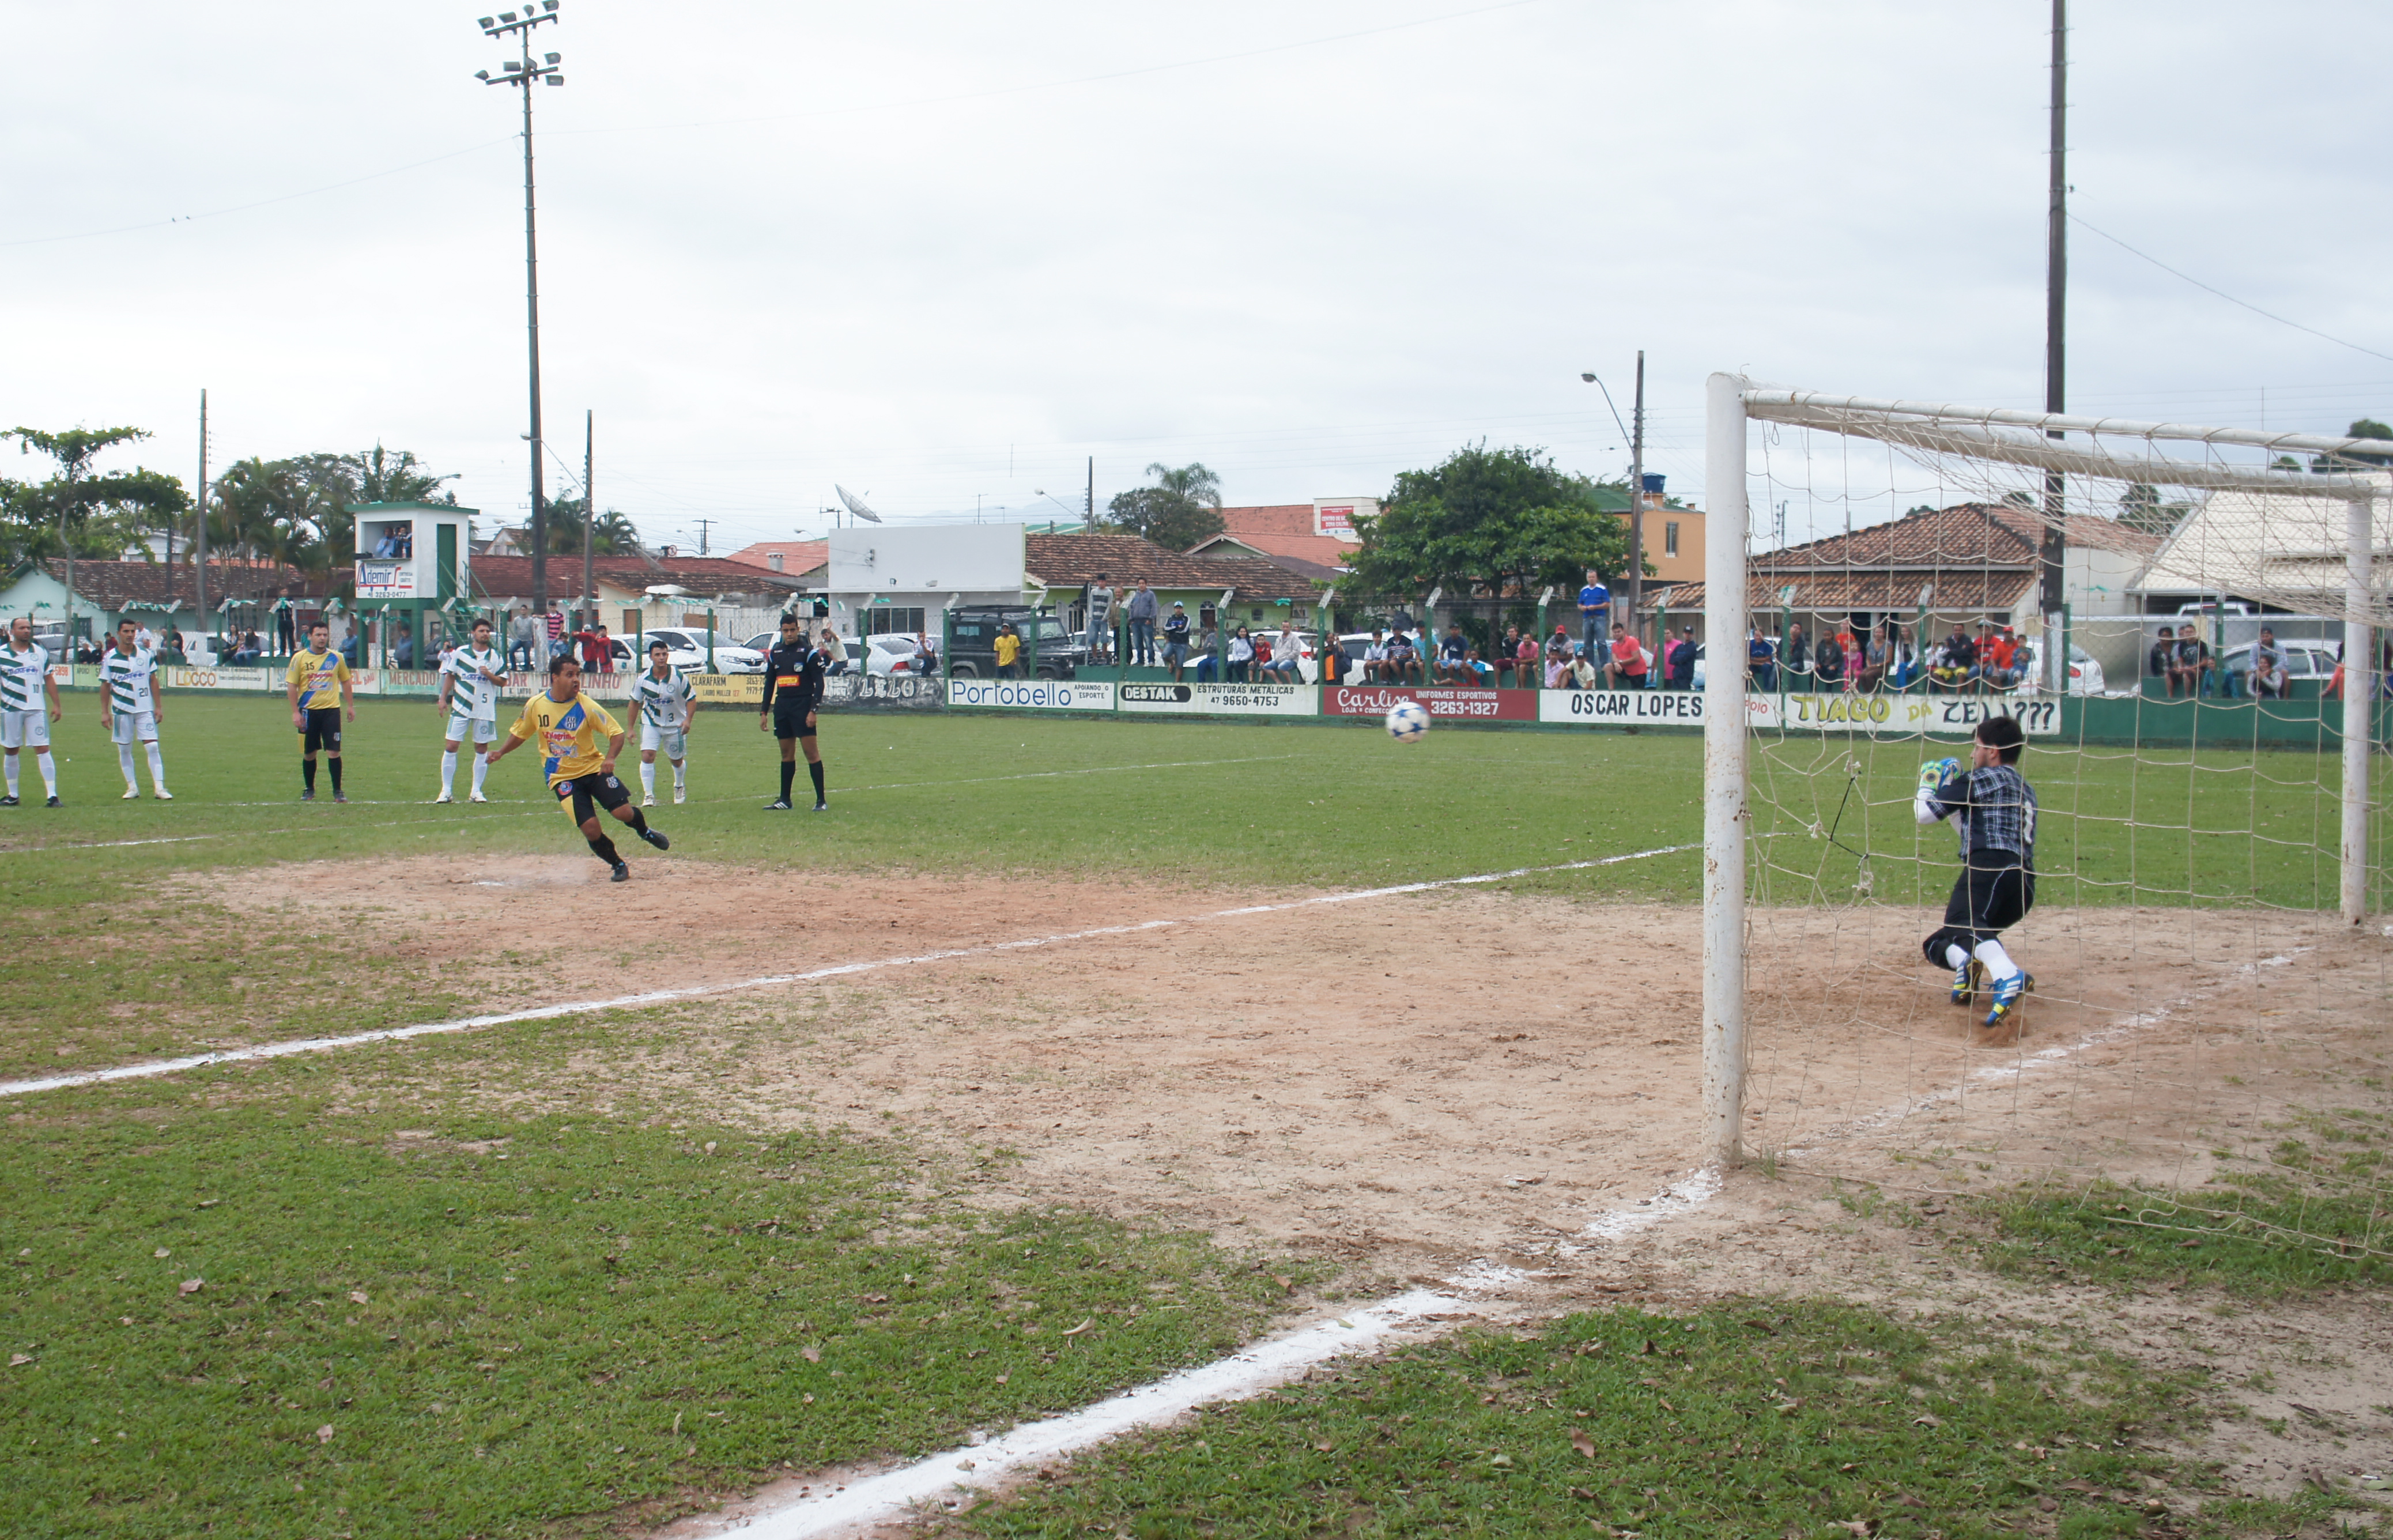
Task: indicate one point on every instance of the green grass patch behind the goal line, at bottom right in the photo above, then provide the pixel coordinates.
(1741, 1419)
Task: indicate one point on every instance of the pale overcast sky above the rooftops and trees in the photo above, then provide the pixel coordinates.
(946, 252)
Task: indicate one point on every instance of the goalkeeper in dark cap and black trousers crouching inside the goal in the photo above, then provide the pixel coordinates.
(1997, 817)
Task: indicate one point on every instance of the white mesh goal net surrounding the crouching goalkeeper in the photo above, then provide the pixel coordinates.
(2188, 630)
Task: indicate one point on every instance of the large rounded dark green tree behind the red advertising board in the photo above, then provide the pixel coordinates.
(1487, 525)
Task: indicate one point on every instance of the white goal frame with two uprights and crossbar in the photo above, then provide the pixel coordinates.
(2277, 561)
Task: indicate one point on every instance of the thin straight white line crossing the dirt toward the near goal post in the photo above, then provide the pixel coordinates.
(650, 998)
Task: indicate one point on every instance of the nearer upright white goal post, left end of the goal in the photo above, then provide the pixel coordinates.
(1724, 771)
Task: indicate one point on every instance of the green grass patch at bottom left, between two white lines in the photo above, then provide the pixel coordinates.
(509, 1321)
